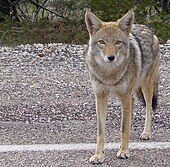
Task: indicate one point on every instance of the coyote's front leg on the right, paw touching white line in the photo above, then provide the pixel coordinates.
(126, 101)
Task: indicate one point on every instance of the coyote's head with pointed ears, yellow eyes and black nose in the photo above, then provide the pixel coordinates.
(109, 40)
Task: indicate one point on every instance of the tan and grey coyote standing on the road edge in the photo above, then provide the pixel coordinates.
(122, 59)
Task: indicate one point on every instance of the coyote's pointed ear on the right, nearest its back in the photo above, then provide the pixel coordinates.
(125, 23)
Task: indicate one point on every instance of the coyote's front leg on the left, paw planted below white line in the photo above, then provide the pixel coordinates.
(101, 109)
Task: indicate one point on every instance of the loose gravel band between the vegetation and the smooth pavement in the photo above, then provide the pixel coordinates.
(45, 83)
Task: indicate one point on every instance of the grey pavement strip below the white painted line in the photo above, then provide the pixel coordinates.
(139, 158)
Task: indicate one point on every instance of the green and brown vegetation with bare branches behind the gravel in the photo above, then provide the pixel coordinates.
(49, 21)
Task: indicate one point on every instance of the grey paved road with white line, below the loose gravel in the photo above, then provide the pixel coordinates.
(72, 132)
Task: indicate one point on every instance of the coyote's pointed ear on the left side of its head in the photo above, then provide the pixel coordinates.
(93, 23)
